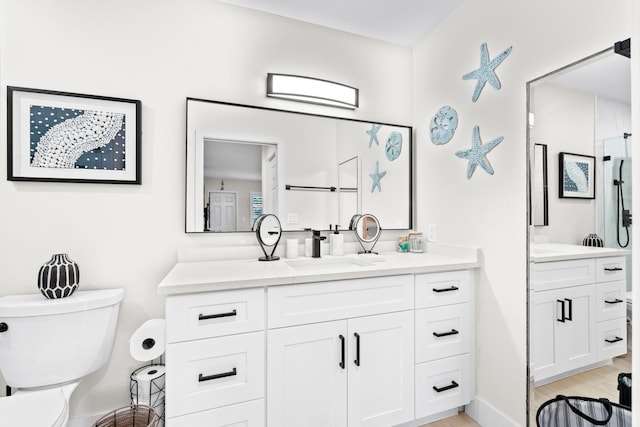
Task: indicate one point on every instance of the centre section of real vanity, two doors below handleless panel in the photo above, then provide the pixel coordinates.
(352, 371)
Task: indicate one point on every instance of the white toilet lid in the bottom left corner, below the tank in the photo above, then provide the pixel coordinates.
(37, 408)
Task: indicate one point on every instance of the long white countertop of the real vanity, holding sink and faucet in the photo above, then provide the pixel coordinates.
(204, 276)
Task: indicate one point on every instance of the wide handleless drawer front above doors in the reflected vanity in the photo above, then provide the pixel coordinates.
(560, 274)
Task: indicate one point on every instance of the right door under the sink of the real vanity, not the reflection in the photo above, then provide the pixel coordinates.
(381, 364)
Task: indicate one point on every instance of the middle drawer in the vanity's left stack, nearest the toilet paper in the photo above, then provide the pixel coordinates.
(209, 373)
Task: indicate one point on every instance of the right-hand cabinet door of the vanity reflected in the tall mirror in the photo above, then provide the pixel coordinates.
(579, 336)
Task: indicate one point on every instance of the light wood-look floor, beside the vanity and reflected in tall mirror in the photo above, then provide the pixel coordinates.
(599, 382)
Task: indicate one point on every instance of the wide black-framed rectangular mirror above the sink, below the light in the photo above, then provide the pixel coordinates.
(312, 171)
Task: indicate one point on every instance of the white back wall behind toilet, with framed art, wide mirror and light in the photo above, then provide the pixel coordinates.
(159, 52)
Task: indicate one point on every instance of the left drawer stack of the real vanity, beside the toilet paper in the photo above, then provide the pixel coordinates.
(215, 359)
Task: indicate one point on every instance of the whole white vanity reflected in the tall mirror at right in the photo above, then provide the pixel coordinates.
(577, 308)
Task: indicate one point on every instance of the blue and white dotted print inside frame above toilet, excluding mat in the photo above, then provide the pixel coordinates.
(66, 138)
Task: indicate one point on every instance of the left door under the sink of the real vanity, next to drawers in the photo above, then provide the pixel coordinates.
(307, 376)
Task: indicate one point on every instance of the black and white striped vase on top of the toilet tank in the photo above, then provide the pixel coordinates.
(59, 277)
